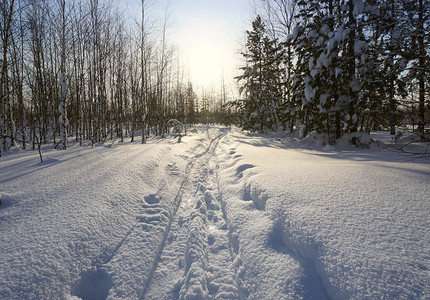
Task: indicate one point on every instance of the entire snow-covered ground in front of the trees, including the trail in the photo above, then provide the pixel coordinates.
(222, 215)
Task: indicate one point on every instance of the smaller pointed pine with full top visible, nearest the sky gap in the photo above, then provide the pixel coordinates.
(261, 78)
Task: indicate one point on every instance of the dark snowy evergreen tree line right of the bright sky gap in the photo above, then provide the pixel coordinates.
(336, 67)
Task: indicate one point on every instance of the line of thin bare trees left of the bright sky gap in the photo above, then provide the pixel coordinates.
(80, 68)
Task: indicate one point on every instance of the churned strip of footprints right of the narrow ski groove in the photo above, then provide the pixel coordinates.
(209, 264)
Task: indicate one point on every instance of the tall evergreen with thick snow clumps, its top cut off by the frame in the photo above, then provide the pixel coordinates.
(332, 66)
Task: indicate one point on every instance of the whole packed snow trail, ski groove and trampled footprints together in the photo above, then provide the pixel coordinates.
(189, 250)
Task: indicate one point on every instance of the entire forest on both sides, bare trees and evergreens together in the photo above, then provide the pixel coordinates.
(83, 69)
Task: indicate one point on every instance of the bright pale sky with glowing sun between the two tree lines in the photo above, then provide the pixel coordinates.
(209, 35)
